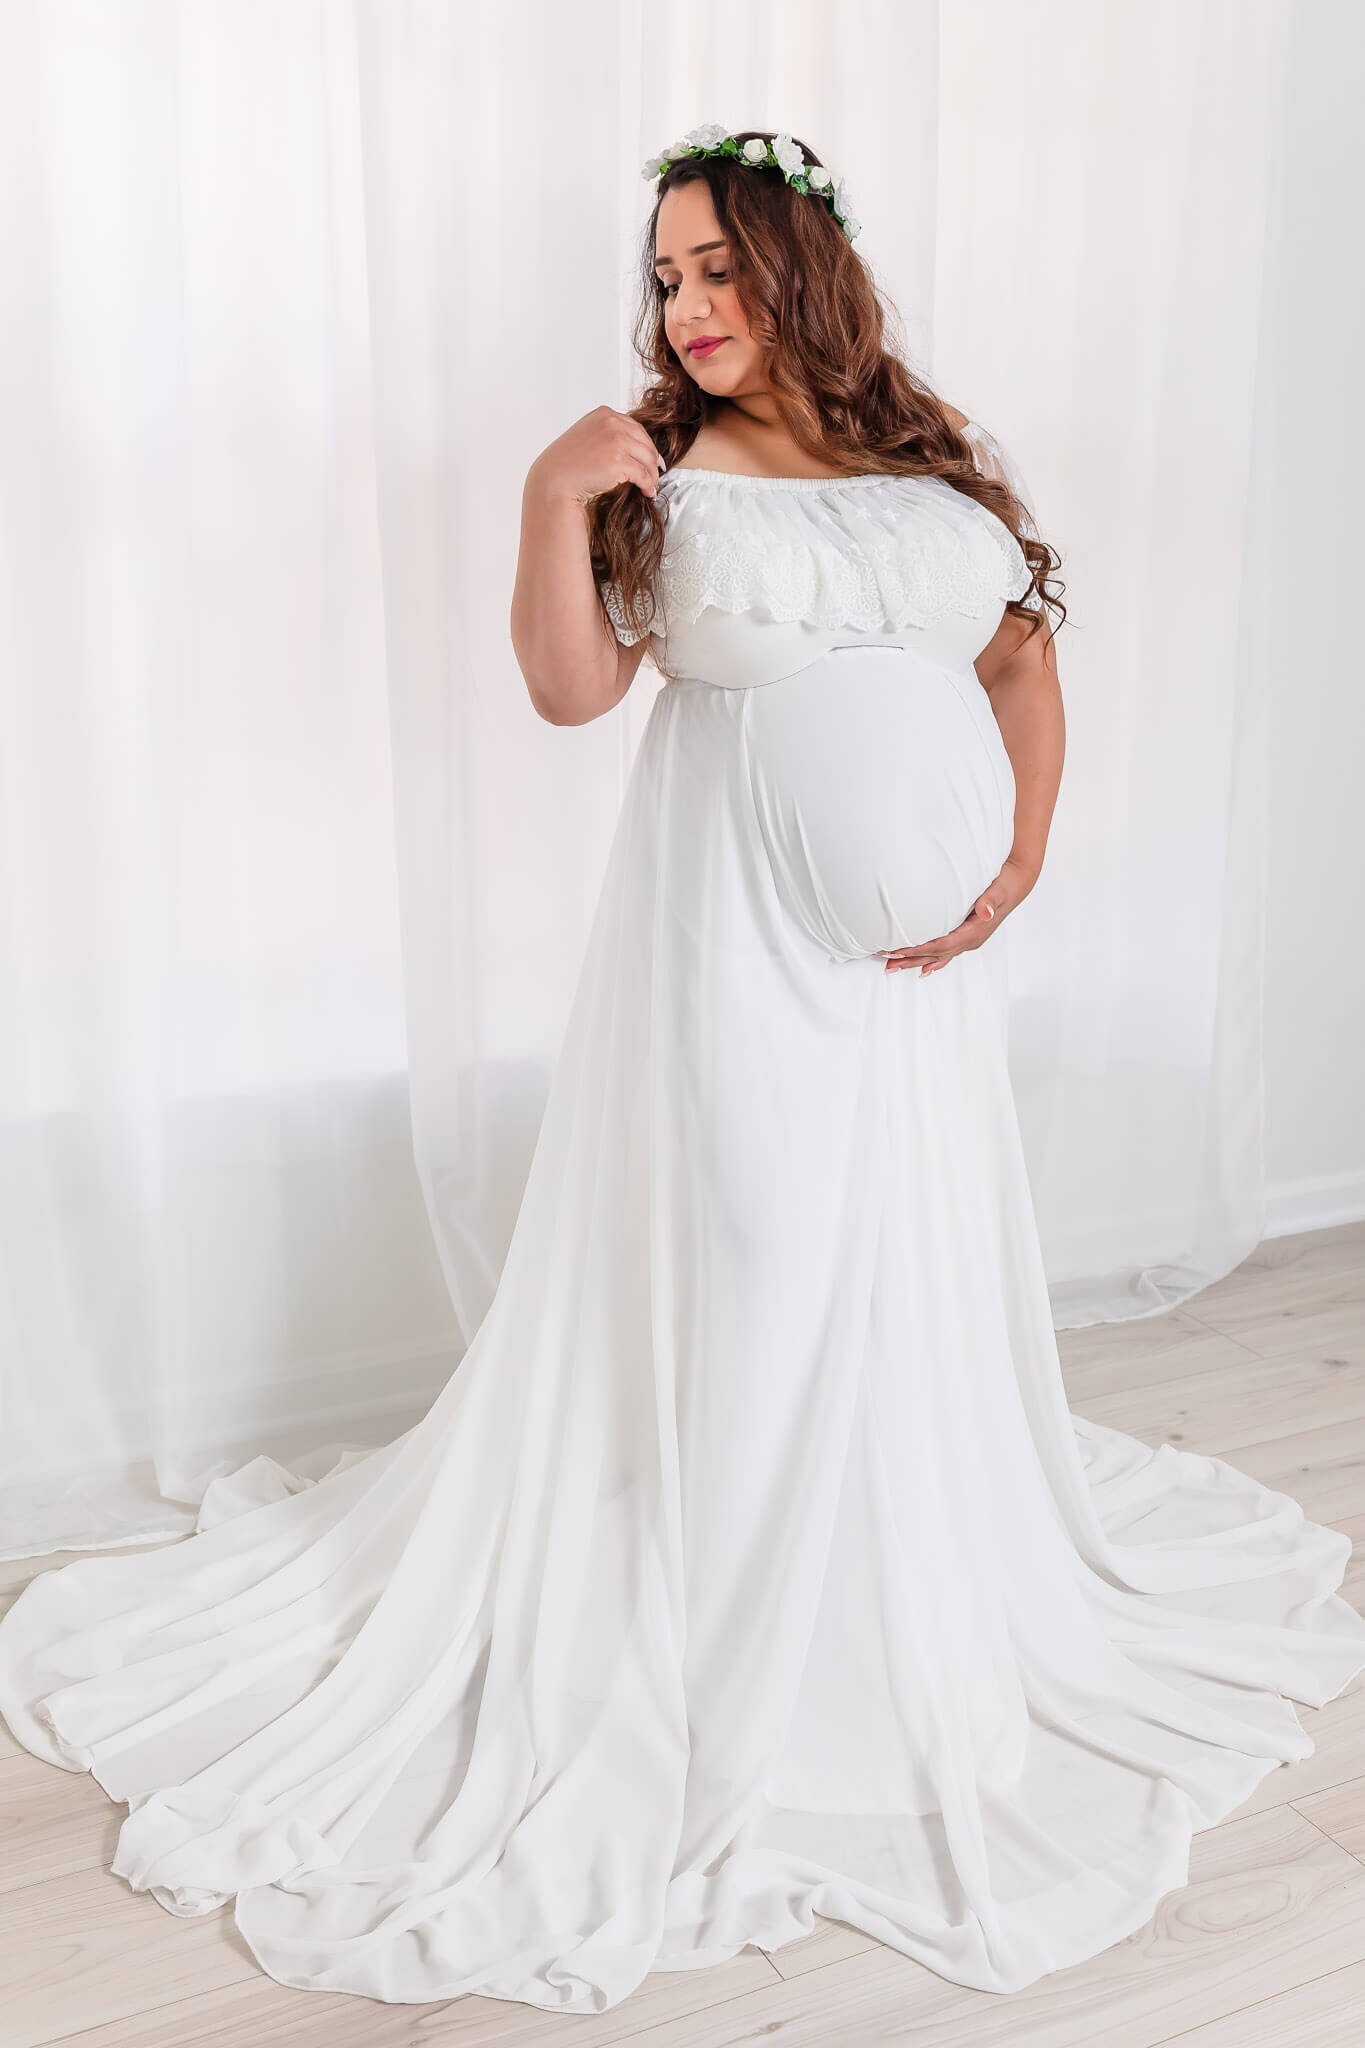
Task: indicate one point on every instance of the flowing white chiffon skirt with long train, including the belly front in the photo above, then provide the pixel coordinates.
(752, 1564)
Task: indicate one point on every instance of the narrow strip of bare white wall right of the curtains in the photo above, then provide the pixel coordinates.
(1315, 1021)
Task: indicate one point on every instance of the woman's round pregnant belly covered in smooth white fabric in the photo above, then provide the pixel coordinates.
(885, 796)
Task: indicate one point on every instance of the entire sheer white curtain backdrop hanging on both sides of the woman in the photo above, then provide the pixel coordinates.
(296, 884)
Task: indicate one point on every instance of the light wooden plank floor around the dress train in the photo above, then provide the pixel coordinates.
(1264, 1947)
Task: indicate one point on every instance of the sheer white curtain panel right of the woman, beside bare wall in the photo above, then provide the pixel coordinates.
(1106, 237)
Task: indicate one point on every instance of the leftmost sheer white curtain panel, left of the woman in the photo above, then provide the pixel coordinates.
(212, 1232)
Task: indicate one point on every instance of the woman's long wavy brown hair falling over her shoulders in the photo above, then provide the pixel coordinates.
(844, 396)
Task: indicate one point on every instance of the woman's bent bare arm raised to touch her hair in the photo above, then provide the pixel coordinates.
(574, 665)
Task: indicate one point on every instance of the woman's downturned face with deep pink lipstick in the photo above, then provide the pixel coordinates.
(701, 302)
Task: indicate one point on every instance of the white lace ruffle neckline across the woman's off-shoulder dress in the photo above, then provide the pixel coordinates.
(863, 552)
